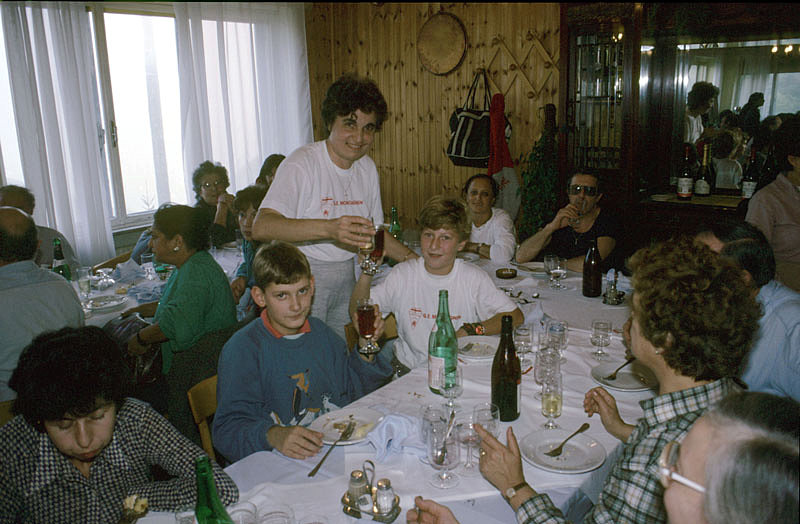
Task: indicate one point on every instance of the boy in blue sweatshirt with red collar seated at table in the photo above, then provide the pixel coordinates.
(284, 369)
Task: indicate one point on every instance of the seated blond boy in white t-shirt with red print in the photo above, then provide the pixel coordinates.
(411, 290)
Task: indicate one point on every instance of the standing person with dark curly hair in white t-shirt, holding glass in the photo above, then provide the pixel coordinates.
(326, 197)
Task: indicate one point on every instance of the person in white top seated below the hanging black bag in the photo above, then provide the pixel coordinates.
(492, 234)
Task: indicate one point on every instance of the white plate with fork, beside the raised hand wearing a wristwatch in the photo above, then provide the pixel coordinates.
(581, 454)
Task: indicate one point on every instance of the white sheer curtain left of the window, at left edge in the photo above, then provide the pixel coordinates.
(53, 89)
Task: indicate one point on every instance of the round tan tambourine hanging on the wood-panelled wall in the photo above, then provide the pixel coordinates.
(442, 43)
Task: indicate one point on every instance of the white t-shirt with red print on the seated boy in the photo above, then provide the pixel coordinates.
(412, 294)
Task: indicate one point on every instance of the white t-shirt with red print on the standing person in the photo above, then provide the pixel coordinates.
(309, 185)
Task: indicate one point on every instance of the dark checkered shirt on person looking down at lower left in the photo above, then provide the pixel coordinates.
(39, 485)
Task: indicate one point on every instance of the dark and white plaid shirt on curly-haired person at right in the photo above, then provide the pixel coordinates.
(632, 492)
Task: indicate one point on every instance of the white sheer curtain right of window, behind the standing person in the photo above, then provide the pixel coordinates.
(244, 84)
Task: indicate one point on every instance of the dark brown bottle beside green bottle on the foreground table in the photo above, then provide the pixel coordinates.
(506, 375)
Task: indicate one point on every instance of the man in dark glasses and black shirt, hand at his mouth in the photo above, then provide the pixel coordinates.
(573, 230)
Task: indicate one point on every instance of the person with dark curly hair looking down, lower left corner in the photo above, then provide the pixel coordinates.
(79, 447)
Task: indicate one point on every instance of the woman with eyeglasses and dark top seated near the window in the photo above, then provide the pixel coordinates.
(210, 182)
